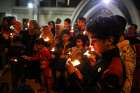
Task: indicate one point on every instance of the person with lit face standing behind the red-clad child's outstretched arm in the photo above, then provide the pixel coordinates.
(28, 38)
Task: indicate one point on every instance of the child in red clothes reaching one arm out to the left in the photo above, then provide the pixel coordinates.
(44, 56)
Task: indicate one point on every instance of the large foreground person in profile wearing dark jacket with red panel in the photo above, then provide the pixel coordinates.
(106, 76)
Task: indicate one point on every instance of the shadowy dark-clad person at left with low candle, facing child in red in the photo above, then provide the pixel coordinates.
(17, 65)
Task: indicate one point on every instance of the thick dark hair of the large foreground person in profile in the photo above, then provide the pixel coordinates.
(103, 28)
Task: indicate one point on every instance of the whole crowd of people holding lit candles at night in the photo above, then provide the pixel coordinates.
(96, 56)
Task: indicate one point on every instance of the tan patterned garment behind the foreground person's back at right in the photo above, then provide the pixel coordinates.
(129, 58)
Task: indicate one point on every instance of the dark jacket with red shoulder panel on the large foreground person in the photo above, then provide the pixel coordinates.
(104, 77)
